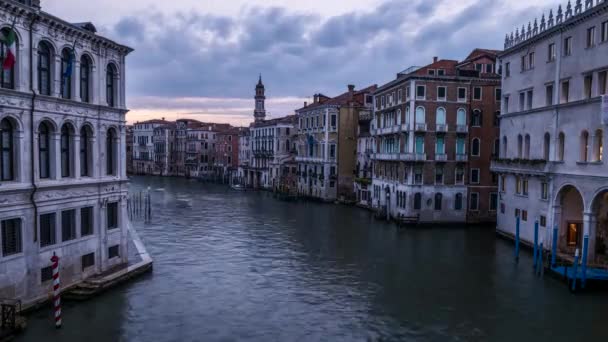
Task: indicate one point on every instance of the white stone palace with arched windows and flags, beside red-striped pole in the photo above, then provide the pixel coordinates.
(63, 183)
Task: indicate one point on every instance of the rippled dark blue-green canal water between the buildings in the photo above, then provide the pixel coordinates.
(243, 266)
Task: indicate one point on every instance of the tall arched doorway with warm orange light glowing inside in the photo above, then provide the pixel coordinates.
(569, 215)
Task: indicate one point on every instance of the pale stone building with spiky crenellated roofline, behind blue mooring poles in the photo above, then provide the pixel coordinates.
(552, 161)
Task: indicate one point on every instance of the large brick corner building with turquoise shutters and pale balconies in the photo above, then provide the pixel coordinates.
(435, 133)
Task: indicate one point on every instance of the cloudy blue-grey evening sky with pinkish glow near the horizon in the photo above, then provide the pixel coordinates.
(201, 58)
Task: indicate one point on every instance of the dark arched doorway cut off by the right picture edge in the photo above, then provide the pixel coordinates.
(600, 213)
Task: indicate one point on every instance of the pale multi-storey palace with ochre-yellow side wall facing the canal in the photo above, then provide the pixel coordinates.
(327, 144)
